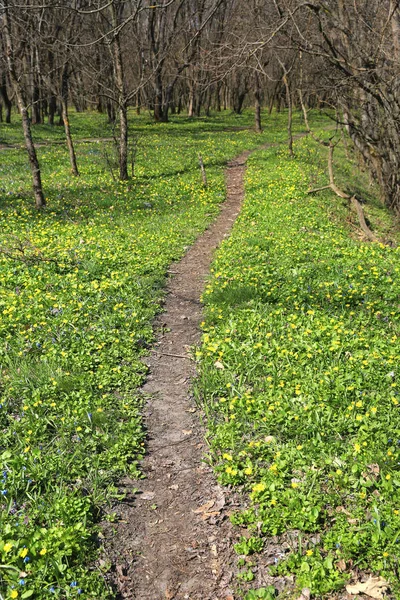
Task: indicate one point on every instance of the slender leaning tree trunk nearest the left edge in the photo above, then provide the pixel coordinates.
(40, 201)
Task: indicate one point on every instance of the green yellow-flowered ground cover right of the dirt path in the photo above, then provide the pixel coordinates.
(299, 375)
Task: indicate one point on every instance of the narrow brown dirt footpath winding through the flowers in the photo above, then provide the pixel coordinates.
(174, 541)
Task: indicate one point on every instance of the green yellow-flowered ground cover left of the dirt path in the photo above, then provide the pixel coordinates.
(77, 299)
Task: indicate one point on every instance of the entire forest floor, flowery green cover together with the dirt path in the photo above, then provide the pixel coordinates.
(253, 422)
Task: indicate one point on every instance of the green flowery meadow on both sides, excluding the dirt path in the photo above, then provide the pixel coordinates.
(297, 366)
